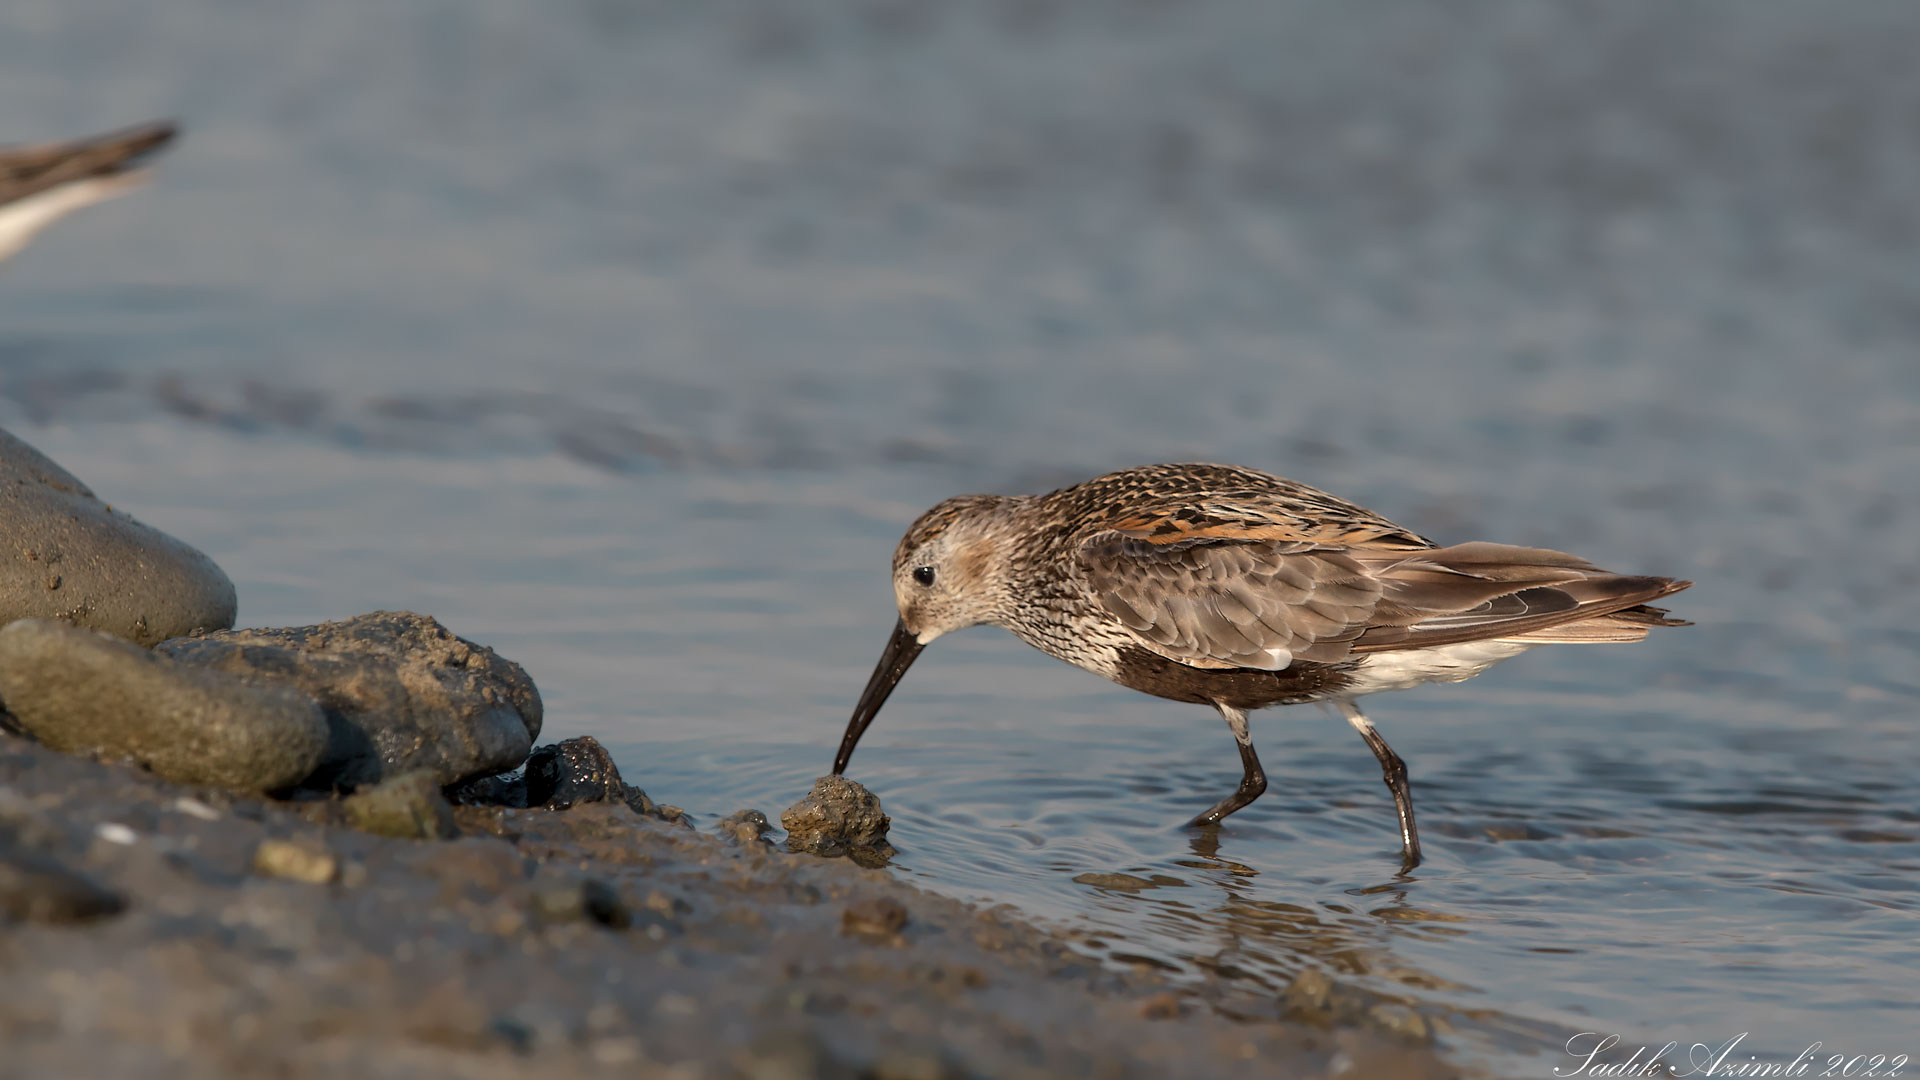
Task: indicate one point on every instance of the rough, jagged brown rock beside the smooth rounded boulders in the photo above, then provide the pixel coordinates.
(400, 695)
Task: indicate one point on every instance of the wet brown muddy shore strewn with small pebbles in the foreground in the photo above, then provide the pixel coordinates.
(592, 941)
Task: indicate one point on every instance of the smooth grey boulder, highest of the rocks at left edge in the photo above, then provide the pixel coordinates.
(76, 558)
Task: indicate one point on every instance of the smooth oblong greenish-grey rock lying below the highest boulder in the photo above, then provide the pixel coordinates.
(80, 691)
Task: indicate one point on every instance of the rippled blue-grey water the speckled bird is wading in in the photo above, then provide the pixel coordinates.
(629, 339)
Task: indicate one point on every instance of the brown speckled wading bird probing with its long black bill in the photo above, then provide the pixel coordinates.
(1239, 589)
